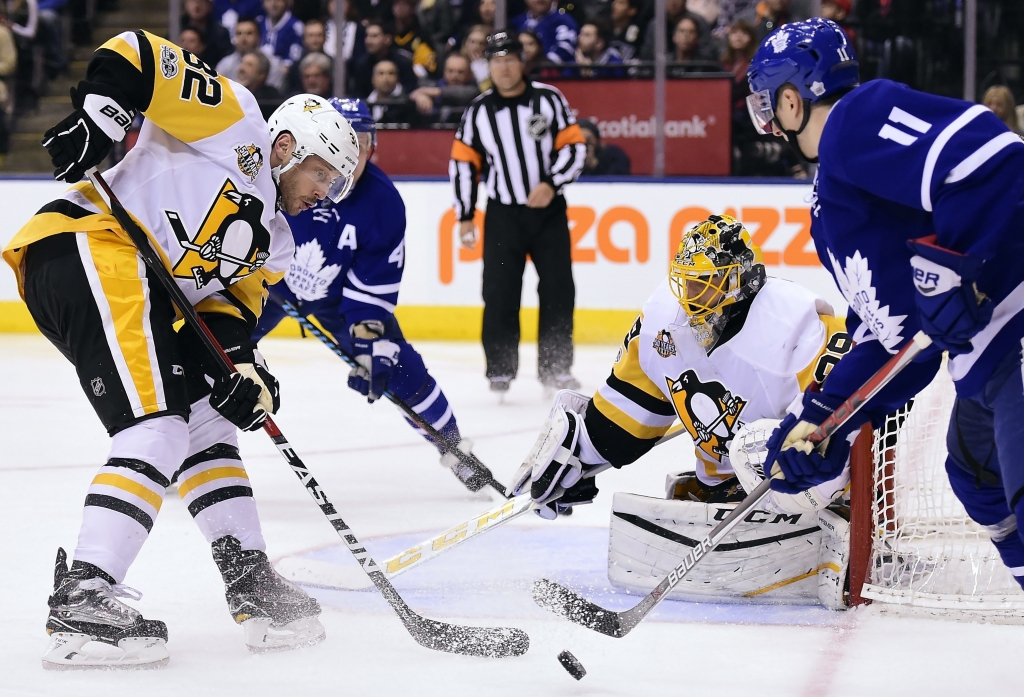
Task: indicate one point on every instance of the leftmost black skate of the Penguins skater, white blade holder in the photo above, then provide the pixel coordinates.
(90, 628)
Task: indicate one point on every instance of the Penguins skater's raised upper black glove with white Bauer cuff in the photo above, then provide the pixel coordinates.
(82, 141)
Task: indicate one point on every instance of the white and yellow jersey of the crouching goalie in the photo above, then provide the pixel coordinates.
(777, 344)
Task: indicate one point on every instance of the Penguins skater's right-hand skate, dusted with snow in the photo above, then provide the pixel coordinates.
(275, 615)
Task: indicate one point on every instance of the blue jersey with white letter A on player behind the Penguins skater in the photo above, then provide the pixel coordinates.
(350, 257)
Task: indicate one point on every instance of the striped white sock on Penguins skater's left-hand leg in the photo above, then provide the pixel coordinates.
(127, 493)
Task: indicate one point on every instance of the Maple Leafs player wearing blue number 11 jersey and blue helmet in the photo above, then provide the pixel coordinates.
(919, 203)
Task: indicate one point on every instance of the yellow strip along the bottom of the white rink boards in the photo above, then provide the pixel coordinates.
(418, 322)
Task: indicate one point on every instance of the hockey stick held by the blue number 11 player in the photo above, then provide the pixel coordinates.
(576, 608)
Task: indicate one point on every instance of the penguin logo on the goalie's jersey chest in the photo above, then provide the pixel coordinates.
(709, 412)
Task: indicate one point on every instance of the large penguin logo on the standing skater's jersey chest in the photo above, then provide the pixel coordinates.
(231, 244)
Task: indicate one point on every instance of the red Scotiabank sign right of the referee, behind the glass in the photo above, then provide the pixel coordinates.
(697, 121)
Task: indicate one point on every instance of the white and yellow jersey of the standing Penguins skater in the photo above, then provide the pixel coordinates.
(198, 181)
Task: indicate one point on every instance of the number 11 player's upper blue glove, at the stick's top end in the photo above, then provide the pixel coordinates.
(950, 307)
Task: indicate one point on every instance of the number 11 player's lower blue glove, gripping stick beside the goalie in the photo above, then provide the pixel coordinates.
(802, 466)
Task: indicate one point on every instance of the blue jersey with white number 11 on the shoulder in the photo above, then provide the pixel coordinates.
(897, 165)
